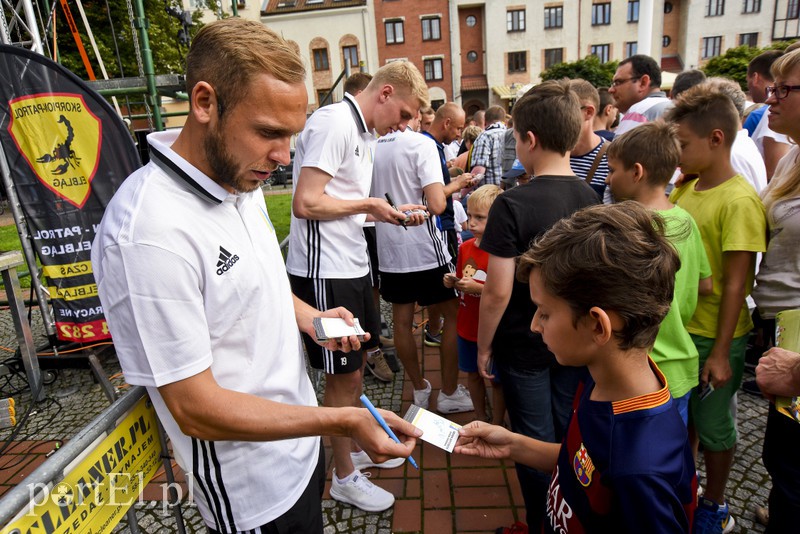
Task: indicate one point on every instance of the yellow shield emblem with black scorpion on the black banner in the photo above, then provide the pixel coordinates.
(60, 138)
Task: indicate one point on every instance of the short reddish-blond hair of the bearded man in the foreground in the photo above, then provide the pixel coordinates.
(229, 53)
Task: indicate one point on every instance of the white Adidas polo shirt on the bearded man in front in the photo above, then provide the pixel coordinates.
(191, 278)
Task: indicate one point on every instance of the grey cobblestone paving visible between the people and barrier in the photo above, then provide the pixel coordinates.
(75, 398)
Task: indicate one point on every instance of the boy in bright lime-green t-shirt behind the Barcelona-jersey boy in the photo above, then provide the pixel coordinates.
(640, 165)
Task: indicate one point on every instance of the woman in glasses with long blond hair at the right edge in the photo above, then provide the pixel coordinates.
(778, 288)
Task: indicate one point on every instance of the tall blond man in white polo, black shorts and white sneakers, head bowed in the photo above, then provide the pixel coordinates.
(327, 261)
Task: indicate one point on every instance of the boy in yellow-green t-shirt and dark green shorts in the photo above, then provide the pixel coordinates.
(732, 222)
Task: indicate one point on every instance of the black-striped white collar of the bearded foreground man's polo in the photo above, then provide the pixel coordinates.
(162, 155)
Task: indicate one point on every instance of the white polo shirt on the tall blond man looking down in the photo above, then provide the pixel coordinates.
(336, 141)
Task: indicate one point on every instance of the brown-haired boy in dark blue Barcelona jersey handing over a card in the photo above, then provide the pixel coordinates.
(602, 281)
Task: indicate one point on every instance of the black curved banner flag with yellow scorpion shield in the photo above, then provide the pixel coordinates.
(68, 152)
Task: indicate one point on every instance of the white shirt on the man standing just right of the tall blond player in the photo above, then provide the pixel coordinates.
(406, 162)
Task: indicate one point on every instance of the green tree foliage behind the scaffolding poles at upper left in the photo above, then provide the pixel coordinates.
(109, 19)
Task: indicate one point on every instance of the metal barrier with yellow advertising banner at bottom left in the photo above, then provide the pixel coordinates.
(88, 484)
